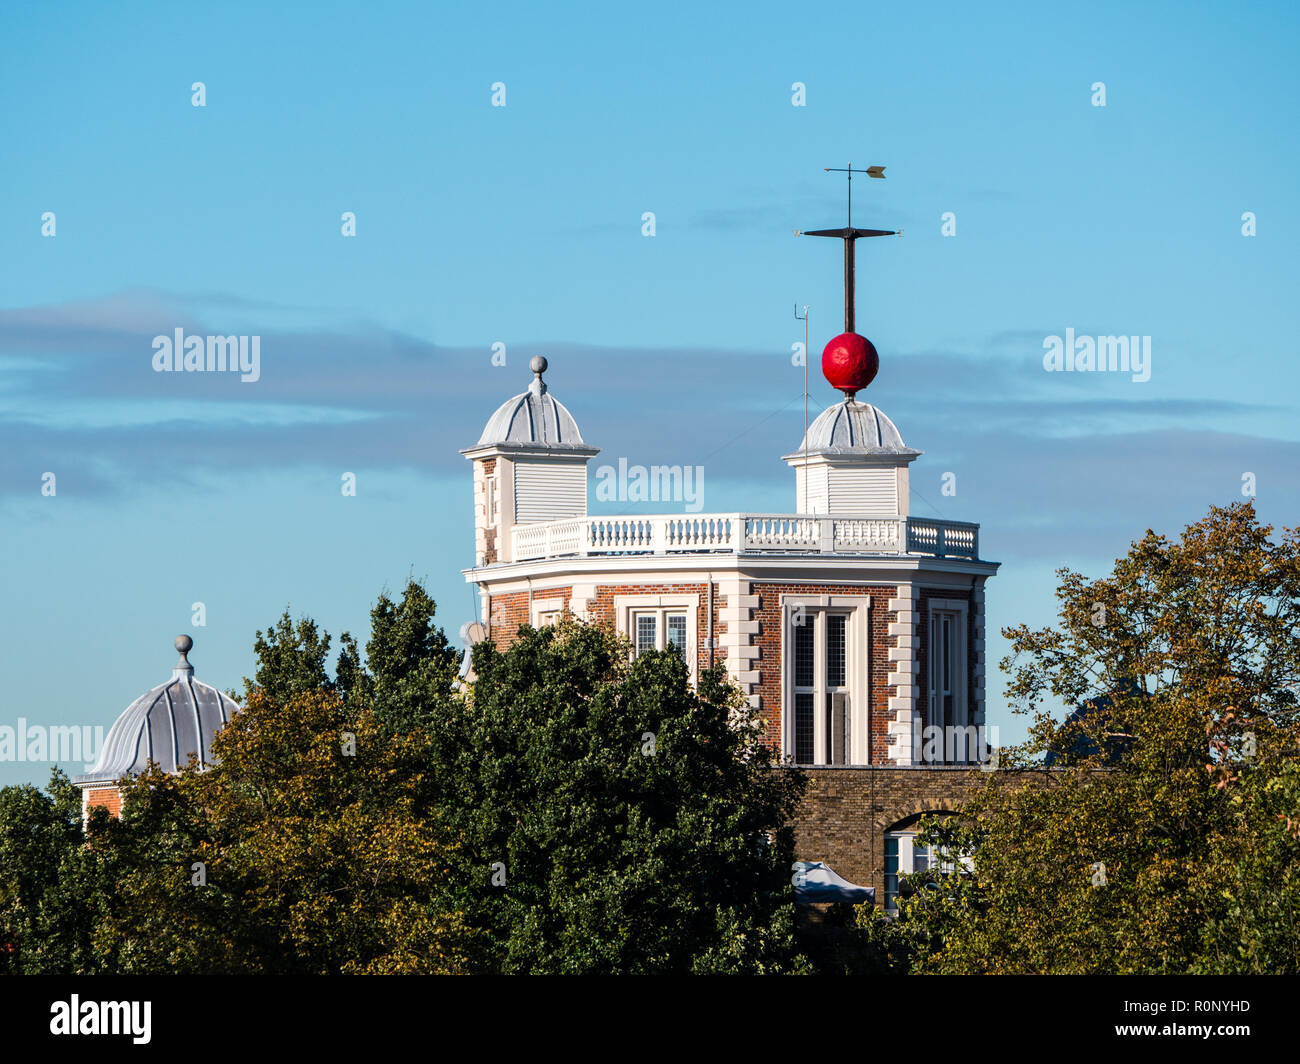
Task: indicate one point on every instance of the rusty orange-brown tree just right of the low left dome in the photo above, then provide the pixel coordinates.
(307, 849)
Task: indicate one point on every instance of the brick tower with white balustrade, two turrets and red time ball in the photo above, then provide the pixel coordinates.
(855, 628)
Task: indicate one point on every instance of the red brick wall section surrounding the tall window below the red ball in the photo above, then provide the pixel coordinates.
(769, 663)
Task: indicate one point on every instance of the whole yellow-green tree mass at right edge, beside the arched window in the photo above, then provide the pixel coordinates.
(1165, 837)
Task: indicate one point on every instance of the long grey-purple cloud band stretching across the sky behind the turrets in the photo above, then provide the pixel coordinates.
(1046, 466)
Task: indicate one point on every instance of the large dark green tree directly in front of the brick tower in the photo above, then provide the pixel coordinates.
(613, 819)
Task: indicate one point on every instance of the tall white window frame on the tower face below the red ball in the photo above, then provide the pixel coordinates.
(857, 673)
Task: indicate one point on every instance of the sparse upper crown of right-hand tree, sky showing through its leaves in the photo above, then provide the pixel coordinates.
(1214, 615)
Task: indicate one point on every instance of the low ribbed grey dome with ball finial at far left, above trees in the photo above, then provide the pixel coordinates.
(166, 725)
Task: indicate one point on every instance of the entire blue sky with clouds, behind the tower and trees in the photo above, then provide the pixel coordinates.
(523, 226)
